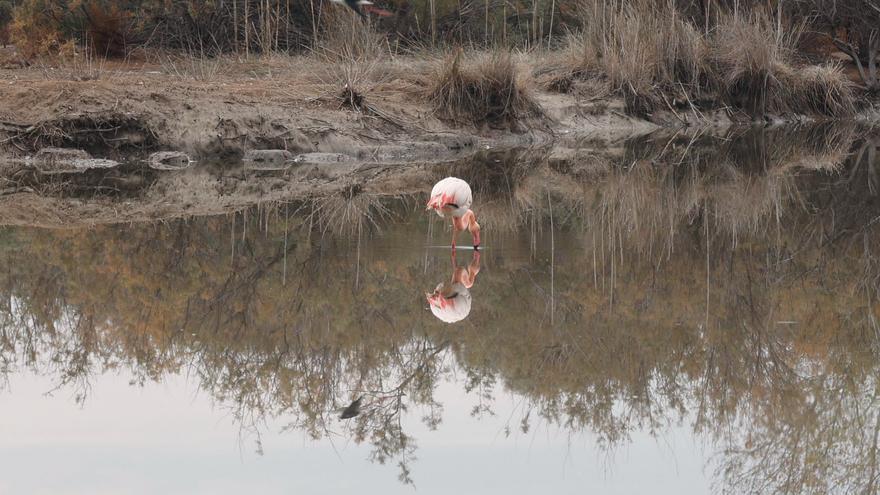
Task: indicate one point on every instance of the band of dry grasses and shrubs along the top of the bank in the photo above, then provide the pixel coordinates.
(664, 59)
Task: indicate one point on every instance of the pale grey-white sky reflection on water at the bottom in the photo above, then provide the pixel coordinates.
(168, 438)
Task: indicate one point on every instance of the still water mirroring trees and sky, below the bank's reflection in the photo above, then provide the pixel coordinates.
(691, 315)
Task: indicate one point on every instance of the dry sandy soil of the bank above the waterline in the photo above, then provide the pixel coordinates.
(288, 103)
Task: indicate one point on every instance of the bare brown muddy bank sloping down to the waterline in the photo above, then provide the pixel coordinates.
(141, 110)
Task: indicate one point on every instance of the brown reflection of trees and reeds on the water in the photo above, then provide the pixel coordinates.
(734, 288)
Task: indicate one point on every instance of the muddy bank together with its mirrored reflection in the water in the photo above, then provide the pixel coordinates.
(139, 145)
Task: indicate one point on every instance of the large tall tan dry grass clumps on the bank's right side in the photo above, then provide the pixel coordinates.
(656, 59)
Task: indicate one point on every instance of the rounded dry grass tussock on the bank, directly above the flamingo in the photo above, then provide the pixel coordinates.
(487, 88)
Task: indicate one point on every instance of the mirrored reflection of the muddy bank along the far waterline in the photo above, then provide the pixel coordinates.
(150, 189)
